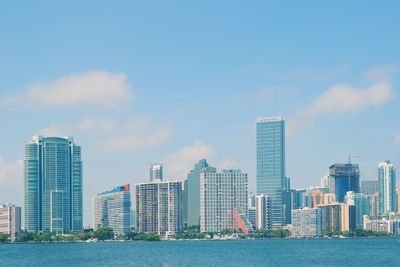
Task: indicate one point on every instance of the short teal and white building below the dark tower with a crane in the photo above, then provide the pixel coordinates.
(362, 205)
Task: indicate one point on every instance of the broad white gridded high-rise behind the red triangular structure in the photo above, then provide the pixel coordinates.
(221, 194)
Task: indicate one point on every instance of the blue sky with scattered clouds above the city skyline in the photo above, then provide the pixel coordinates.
(140, 82)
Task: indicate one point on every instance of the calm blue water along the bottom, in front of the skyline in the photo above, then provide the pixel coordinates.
(344, 252)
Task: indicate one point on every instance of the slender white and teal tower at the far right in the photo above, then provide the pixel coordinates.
(387, 188)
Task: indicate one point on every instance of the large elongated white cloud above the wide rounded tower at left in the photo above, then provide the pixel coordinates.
(95, 88)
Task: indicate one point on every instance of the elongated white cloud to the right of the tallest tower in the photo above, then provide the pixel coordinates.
(341, 98)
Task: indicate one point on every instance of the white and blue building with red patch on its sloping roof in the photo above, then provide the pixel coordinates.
(113, 209)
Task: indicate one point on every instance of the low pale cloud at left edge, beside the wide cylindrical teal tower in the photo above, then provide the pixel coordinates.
(11, 181)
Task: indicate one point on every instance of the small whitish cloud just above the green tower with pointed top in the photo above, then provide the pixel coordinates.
(181, 162)
